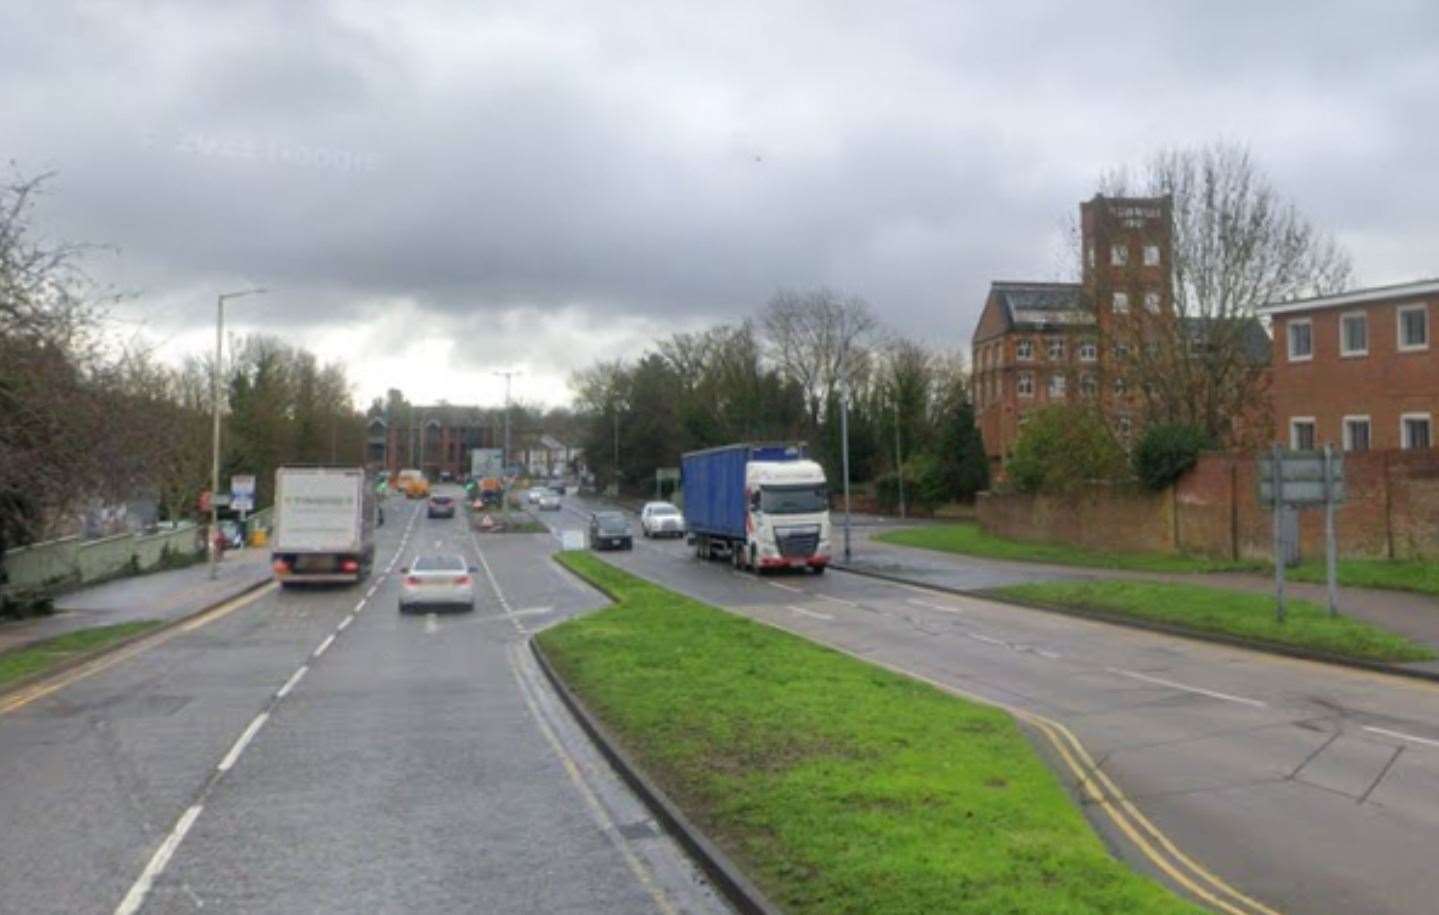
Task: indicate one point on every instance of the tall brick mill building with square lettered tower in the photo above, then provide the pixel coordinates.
(1043, 343)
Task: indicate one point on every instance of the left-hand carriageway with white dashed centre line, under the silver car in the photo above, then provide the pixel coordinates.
(303, 756)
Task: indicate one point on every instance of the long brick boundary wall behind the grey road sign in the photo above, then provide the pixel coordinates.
(1214, 510)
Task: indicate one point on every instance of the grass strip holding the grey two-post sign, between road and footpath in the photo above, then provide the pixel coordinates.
(1233, 614)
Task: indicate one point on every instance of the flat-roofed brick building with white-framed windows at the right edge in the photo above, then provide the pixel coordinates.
(1358, 369)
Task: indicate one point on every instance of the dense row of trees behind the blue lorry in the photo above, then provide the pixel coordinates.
(785, 375)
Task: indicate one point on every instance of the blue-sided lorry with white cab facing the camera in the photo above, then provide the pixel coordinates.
(759, 506)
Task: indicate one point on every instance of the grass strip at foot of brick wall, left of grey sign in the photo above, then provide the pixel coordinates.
(969, 540)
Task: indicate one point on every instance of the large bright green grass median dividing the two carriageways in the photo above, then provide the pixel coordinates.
(835, 785)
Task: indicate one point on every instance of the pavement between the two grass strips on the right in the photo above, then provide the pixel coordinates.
(1411, 615)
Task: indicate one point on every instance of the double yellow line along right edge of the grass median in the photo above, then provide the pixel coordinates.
(1102, 791)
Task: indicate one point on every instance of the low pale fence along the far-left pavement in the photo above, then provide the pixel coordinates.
(71, 560)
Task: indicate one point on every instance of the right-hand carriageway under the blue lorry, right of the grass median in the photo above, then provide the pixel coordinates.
(1309, 788)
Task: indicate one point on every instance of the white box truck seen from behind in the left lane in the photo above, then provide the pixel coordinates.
(324, 526)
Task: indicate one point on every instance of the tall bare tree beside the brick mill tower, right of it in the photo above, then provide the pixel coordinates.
(1237, 245)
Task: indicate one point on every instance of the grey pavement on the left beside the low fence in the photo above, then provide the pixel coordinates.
(155, 596)
